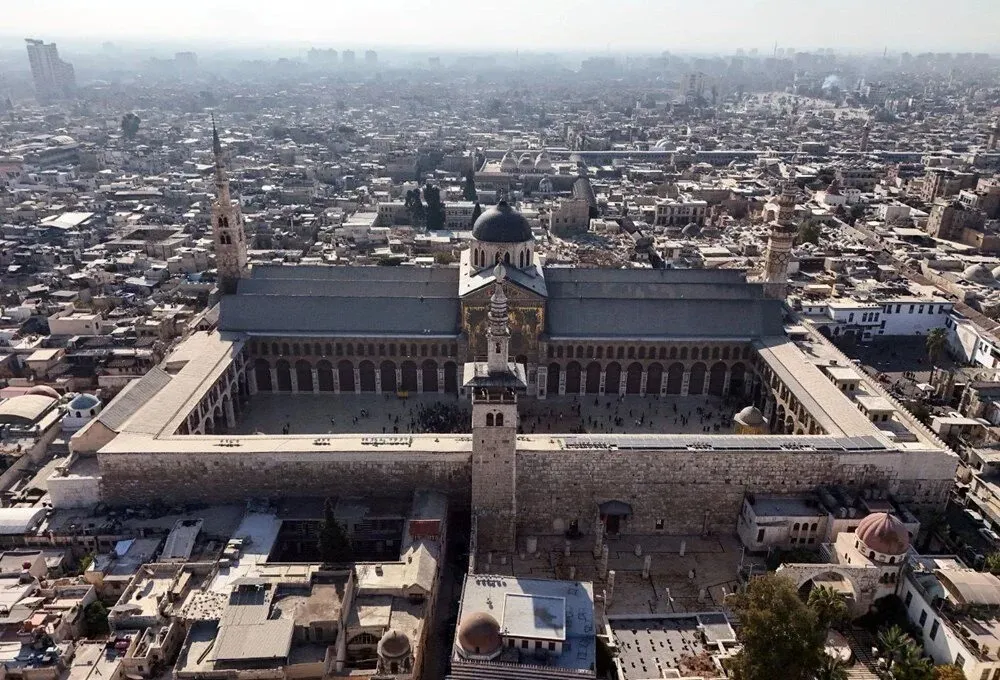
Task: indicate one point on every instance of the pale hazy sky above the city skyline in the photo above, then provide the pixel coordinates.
(537, 25)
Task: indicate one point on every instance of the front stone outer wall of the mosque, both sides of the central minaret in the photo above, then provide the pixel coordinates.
(553, 487)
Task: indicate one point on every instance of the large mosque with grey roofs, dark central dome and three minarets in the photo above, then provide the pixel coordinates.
(504, 330)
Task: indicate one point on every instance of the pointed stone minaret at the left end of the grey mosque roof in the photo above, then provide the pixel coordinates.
(227, 227)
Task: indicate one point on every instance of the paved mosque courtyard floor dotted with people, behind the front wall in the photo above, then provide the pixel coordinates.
(270, 413)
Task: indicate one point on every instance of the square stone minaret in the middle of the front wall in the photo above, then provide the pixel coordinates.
(494, 433)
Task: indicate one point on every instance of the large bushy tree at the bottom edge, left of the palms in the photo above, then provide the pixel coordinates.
(781, 635)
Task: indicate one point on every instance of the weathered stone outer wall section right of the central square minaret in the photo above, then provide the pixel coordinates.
(688, 490)
